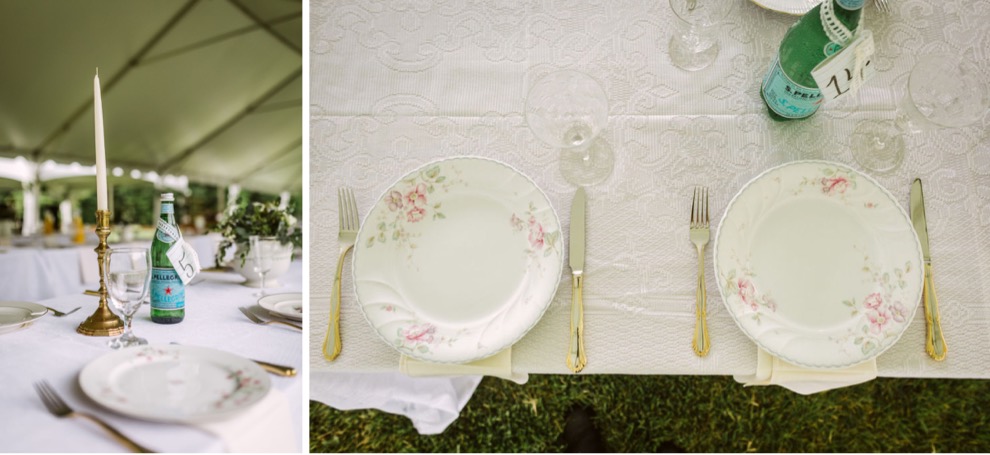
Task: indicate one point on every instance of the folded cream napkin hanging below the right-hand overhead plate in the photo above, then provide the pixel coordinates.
(771, 370)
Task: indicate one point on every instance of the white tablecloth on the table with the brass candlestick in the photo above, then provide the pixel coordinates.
(50, 349)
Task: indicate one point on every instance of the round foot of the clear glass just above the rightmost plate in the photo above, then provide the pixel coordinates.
(878, 146)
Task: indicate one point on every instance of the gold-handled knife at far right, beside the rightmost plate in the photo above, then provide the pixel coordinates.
(934, 340)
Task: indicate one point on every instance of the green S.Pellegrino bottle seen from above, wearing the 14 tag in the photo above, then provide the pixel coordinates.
(788, 90)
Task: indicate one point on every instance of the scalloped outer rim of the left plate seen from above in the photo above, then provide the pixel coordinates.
(492, 351)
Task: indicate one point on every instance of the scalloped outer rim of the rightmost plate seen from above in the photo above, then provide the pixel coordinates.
(919, 273)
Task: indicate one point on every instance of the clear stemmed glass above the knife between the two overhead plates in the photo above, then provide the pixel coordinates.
(568, 110)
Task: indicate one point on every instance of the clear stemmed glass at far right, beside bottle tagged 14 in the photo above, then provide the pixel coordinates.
(943, 92)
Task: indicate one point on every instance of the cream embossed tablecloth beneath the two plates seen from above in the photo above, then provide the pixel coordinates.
(397, 84)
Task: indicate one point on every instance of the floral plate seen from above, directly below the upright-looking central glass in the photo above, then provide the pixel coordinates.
(458, 260)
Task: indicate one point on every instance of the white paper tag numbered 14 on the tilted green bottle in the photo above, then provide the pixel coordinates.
(846, 71)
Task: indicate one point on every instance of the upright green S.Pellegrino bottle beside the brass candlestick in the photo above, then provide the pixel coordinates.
(168, 293)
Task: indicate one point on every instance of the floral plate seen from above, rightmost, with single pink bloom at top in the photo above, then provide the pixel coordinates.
(818, 264)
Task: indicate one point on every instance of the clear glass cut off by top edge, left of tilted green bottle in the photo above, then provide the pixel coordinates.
(694, 44)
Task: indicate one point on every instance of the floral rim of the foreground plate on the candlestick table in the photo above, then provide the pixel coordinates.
(90, 380)
